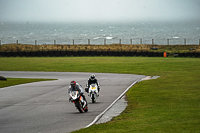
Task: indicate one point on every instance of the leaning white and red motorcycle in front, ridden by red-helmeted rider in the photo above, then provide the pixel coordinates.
(78, 100)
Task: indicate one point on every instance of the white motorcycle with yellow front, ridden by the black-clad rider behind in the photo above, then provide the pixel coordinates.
(93, 92)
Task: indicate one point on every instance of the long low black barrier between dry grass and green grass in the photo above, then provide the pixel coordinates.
(95, 53)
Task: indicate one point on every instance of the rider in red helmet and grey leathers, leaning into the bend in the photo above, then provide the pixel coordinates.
(76, 87)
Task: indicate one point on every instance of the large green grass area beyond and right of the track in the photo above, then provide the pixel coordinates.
(170, 103)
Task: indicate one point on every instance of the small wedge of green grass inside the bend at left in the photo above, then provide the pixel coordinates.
(17, 81)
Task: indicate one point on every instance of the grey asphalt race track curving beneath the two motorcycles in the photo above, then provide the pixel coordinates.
(43, 107)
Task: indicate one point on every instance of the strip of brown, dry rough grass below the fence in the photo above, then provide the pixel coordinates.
(111, 47)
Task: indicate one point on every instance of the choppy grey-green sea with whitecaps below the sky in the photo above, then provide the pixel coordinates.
(100, 33)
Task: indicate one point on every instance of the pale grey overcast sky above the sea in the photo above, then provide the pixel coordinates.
(98, 10)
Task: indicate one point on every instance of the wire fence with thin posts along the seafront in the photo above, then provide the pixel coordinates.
(172, 41)
